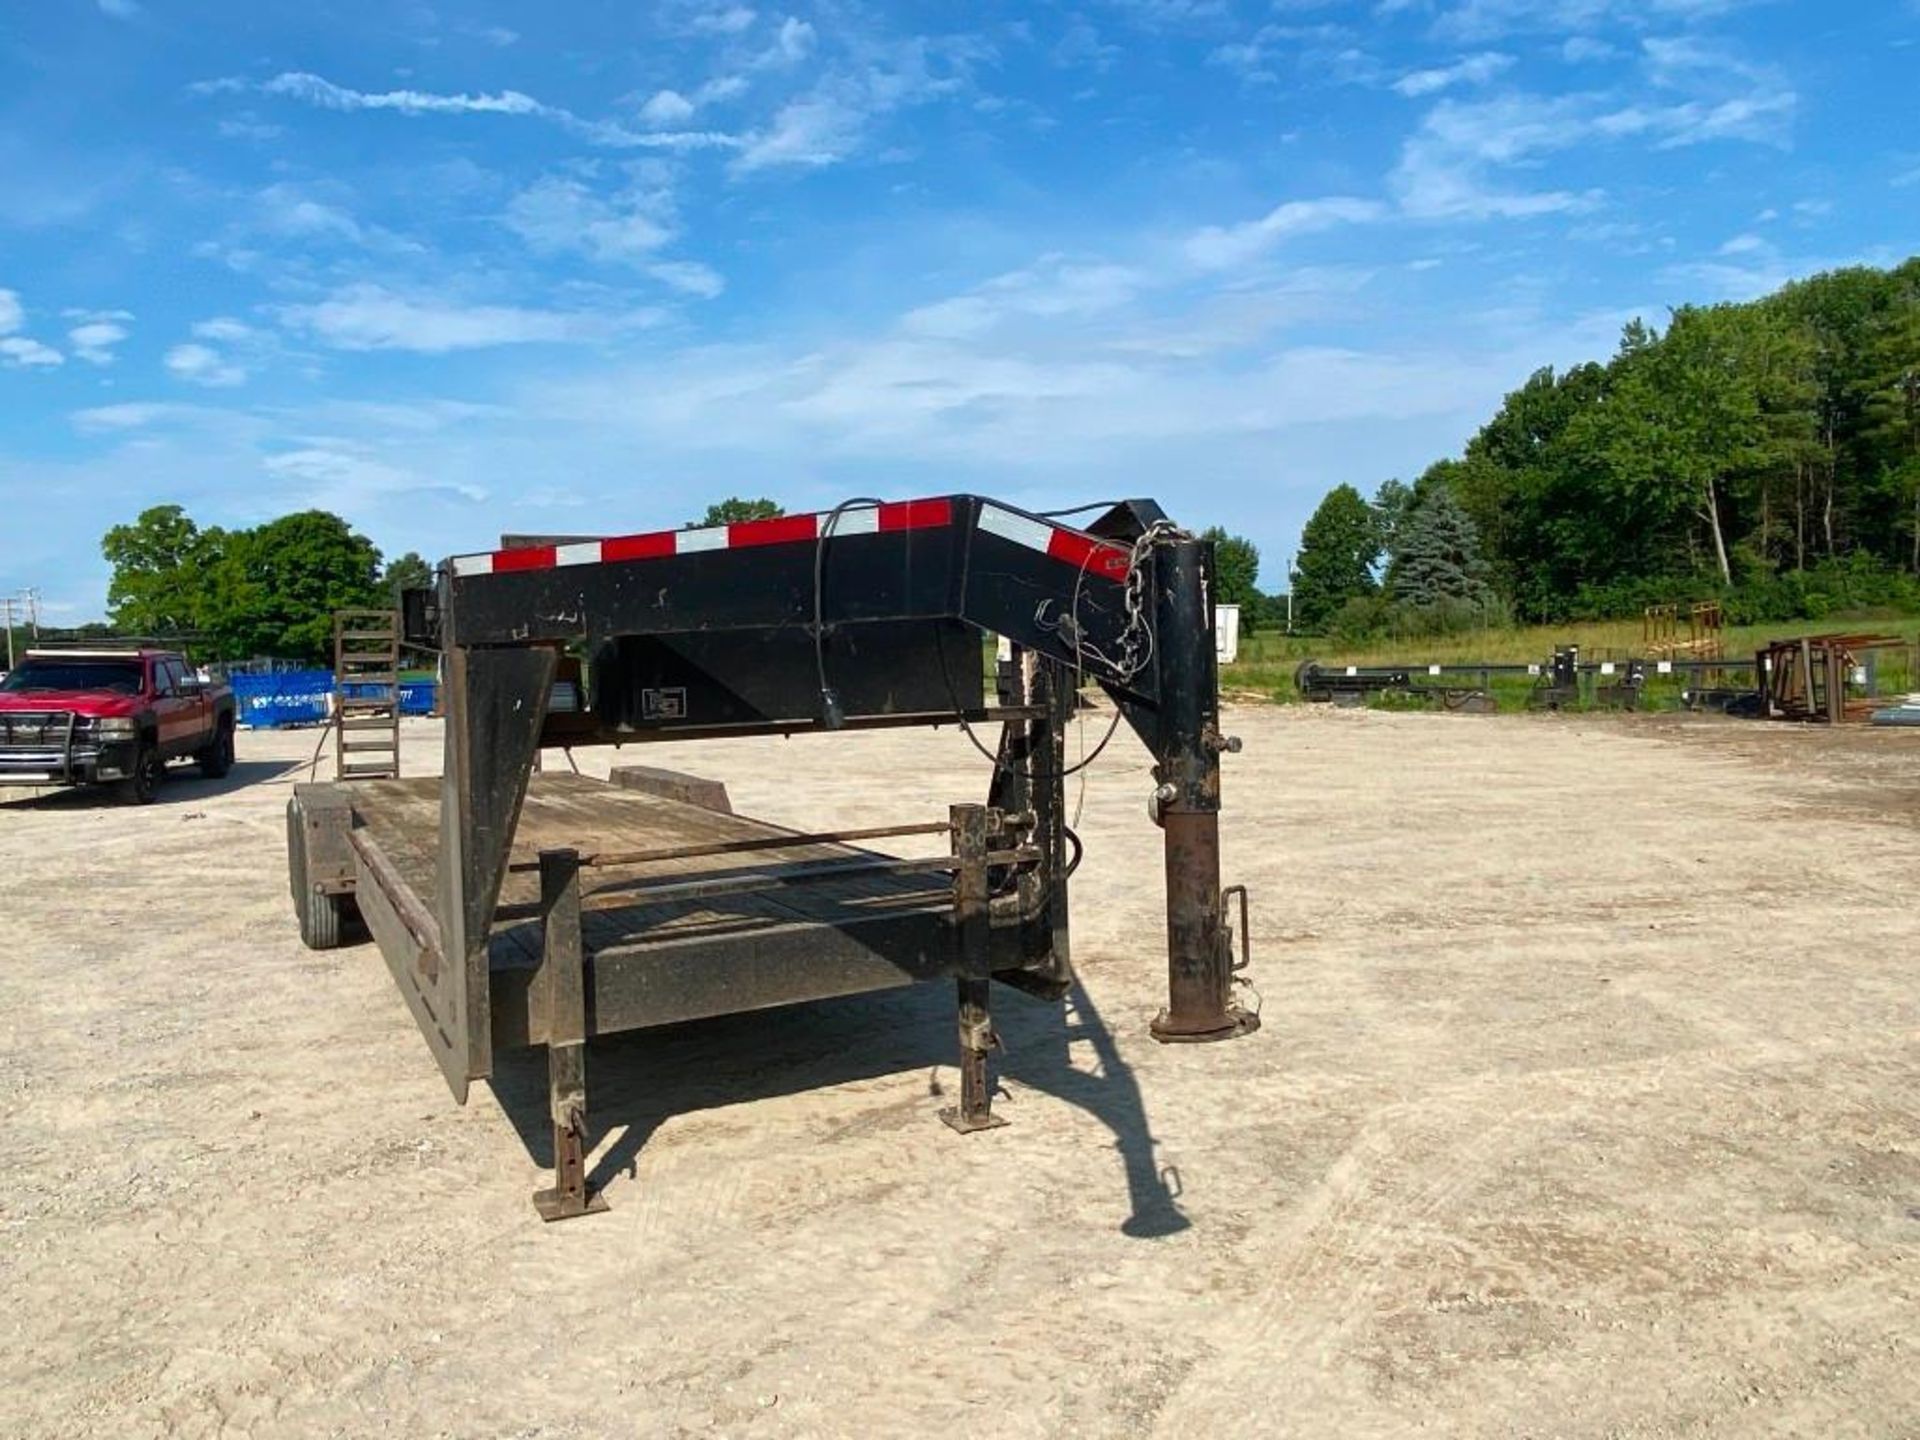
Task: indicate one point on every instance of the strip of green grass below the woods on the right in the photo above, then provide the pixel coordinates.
(1268, 660)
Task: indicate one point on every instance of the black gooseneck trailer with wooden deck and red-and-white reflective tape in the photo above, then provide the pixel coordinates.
(519, 907)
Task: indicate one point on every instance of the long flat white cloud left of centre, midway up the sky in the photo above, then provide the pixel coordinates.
(373, 318)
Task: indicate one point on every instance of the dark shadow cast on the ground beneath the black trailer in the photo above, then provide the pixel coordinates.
(640, 1080)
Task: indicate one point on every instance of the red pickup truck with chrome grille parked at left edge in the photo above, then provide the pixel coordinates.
(110, 717)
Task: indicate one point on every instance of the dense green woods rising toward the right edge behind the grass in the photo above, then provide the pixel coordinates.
(1765, 454)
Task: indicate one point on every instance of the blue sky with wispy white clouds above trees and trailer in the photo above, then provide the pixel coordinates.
(585, 268)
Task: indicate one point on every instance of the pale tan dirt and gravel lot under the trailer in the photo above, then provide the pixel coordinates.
(1585, 1107)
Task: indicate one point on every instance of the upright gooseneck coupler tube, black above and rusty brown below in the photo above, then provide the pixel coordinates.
(1199, 949)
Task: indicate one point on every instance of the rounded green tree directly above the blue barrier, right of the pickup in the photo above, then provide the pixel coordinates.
(277, 587)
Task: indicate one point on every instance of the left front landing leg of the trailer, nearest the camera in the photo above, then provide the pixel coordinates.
(564, 980)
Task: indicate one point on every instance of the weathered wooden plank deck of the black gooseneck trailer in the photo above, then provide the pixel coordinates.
(588, 815)
